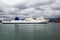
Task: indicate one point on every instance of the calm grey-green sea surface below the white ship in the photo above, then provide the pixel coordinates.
(50, 31)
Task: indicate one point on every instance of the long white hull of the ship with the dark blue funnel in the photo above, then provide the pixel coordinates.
(24, 22)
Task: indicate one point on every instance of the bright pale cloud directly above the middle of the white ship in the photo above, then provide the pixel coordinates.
(31, 12)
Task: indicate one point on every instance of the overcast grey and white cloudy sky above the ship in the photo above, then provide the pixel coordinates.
(30, 8)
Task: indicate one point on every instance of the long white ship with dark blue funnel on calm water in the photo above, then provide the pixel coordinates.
(28, 20)
